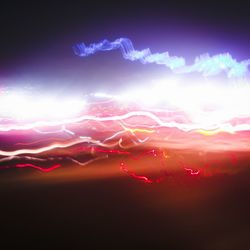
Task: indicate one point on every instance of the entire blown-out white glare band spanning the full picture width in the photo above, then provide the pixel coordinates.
(206, 105)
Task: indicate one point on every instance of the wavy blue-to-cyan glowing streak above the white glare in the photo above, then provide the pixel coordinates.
(205, 64)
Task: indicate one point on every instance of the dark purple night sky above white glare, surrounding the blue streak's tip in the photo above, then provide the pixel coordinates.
(37, 38)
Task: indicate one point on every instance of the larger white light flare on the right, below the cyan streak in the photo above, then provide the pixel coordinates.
(206, 104)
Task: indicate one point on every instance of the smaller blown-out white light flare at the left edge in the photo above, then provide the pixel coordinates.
(23, 107)
